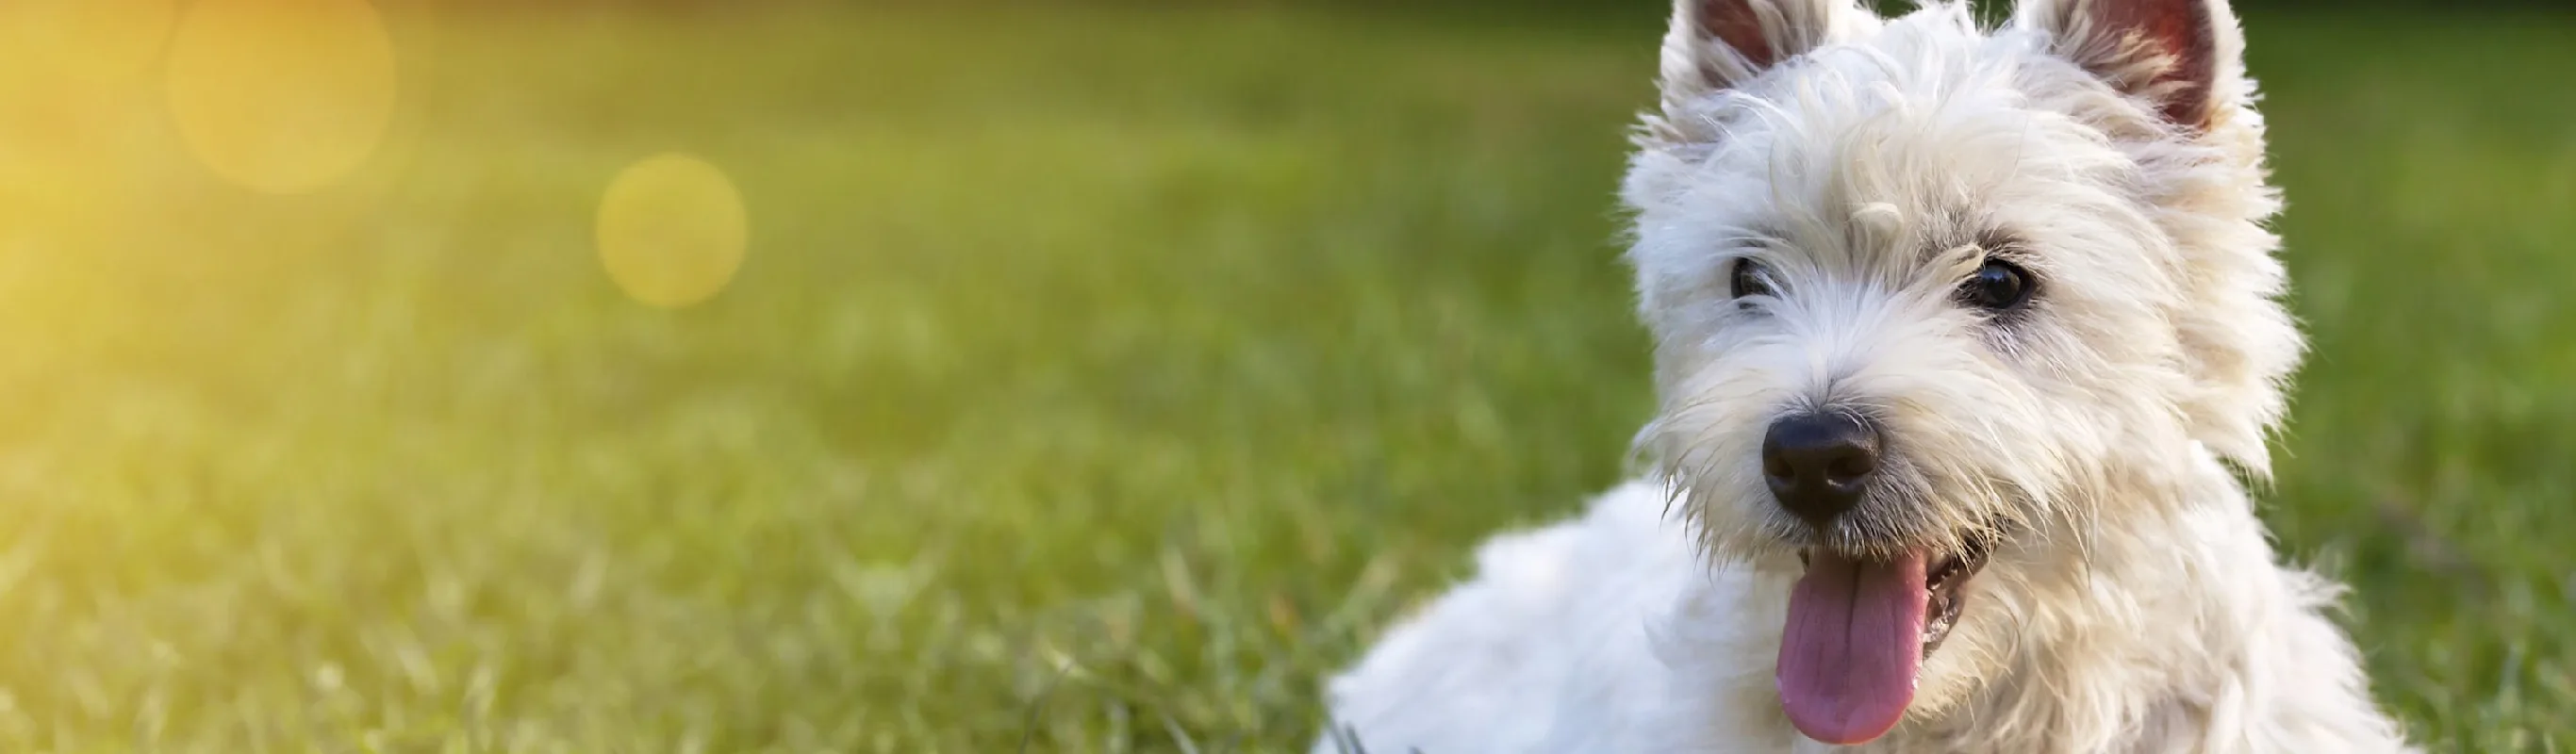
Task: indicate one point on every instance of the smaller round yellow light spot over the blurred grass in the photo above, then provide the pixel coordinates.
(671, 230)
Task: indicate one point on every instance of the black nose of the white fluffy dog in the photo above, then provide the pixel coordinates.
(1820, 464)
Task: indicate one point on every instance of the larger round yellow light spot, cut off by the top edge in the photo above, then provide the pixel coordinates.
(282, 97)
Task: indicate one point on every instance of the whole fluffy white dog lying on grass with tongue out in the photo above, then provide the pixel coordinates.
(1962, 344)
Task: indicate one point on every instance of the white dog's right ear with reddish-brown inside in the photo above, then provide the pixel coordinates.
(2170, 53)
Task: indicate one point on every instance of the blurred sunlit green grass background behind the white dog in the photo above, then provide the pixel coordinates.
(1047, 377)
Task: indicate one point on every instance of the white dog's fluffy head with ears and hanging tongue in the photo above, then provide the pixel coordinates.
(1933, 300)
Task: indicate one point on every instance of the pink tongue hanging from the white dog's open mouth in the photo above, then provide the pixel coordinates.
(1856, 637)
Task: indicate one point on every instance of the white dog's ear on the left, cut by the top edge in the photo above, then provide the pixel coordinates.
(1717, 45)
